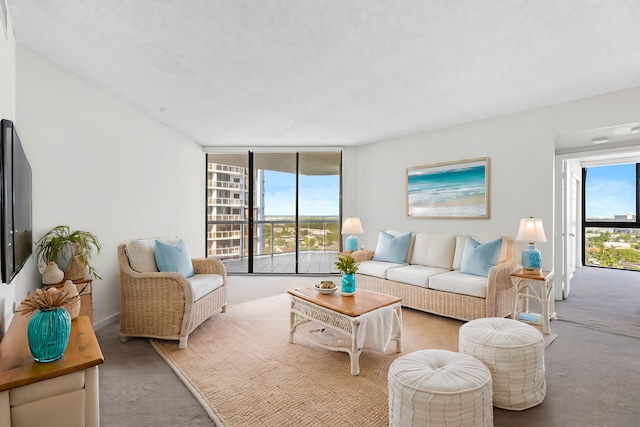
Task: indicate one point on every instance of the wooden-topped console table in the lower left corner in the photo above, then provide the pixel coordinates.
(21, 375)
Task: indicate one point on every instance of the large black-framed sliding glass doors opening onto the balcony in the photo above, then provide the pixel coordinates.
(274, 212)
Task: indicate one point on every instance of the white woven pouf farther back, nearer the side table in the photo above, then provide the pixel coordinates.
(514, 353)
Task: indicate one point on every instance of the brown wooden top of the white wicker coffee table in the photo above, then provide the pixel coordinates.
(355, 305)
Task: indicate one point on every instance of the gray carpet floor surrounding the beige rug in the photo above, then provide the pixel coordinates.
(592, 368)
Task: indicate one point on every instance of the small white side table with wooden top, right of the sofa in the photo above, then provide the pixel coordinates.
(538, 287)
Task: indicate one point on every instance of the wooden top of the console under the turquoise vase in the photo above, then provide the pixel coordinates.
(18, 368)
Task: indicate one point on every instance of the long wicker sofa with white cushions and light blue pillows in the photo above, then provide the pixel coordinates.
(457, 276)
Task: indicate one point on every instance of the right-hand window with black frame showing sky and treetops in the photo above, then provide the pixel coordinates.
(611, 224)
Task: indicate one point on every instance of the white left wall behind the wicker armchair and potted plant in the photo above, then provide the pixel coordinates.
(101, 166)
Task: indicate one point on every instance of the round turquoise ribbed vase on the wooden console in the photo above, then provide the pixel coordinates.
(48, 334)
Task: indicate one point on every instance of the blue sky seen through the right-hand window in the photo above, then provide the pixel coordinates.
(610, 191)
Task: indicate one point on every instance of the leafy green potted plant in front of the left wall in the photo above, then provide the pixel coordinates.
(75, 246)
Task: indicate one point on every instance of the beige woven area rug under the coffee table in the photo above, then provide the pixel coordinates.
(242, 369)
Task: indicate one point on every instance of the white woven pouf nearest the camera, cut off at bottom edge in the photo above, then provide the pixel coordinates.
(439, 388)
